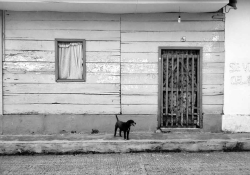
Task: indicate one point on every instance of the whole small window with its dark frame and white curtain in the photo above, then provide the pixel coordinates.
(70, 60)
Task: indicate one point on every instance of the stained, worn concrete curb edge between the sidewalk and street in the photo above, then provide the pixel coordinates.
(110, 146)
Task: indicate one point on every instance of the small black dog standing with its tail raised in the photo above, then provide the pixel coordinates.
(124, 126)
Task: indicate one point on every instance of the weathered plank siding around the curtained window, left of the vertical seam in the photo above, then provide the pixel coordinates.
(29, 67)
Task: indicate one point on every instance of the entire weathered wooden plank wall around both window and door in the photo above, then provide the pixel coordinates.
(122, 61)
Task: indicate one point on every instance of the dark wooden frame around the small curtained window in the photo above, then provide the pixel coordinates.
(57, 41)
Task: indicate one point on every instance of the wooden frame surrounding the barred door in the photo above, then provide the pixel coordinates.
(160, 71)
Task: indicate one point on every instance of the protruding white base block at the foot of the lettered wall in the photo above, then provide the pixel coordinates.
(236, 123)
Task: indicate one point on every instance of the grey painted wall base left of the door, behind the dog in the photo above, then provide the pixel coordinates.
(56, 124)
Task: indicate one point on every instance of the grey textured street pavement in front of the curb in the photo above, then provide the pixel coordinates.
(223, 163)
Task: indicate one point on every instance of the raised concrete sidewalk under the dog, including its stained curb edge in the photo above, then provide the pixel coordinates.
(107, 143)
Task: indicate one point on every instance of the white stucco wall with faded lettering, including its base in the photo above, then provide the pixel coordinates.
(237, 69)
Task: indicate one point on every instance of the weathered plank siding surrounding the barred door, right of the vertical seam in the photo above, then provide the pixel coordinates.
(143, 34)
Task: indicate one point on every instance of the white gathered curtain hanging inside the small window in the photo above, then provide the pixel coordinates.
(70, 61)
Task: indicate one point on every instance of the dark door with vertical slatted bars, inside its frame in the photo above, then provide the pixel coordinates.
(180, 88)
